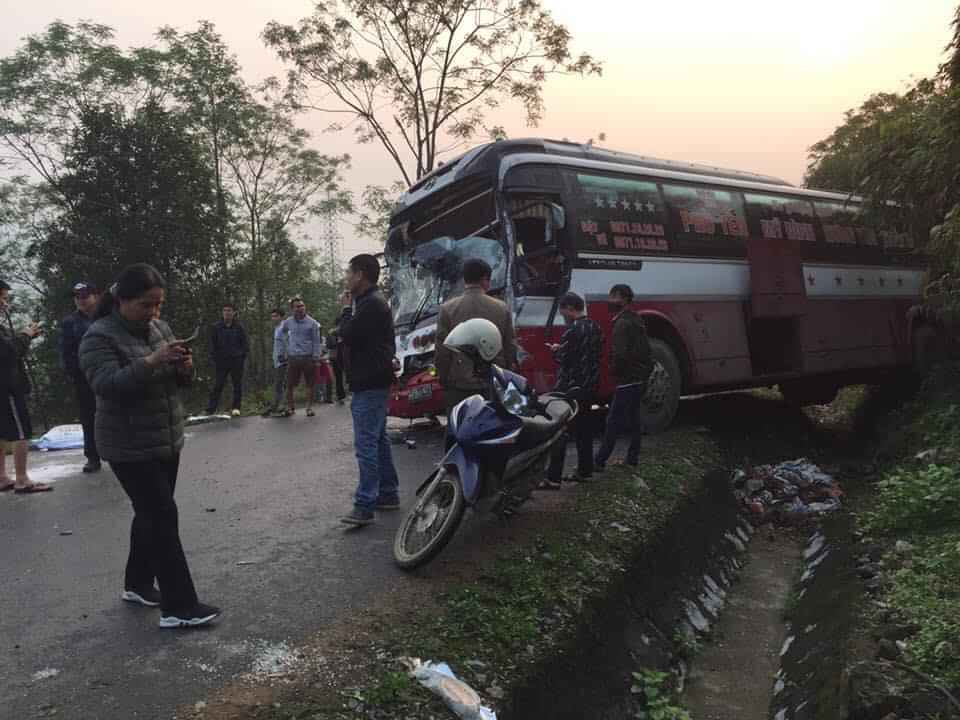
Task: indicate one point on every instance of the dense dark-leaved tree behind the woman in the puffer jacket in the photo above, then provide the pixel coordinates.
(140, 192)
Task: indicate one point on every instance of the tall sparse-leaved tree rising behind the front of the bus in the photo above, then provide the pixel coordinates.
(418, 76)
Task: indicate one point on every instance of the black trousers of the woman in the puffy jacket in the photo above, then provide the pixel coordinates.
(155, 549)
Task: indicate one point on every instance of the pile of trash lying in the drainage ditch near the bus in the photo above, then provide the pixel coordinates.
(790, 492)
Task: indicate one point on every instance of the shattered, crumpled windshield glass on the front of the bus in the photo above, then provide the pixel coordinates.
(432, 272)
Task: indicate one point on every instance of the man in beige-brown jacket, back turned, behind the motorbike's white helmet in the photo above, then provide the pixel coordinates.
(456, 370)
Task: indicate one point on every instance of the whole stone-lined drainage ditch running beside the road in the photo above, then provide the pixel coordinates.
(667, 606)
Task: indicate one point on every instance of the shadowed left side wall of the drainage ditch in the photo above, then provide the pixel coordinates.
(654, 618)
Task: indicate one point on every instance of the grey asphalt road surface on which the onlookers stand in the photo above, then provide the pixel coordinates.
(259, 506)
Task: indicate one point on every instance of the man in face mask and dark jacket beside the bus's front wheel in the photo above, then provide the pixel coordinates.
(630, 365)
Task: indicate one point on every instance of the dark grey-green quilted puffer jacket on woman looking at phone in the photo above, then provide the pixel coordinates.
(139, 413)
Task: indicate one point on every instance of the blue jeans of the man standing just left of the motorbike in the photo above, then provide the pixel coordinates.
(378, 476)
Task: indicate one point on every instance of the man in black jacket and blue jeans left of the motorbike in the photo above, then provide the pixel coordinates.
(366, 329)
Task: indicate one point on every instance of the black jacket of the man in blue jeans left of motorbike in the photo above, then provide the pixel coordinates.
(366, 330)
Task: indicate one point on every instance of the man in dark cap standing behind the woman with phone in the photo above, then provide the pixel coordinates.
(85, 297)
